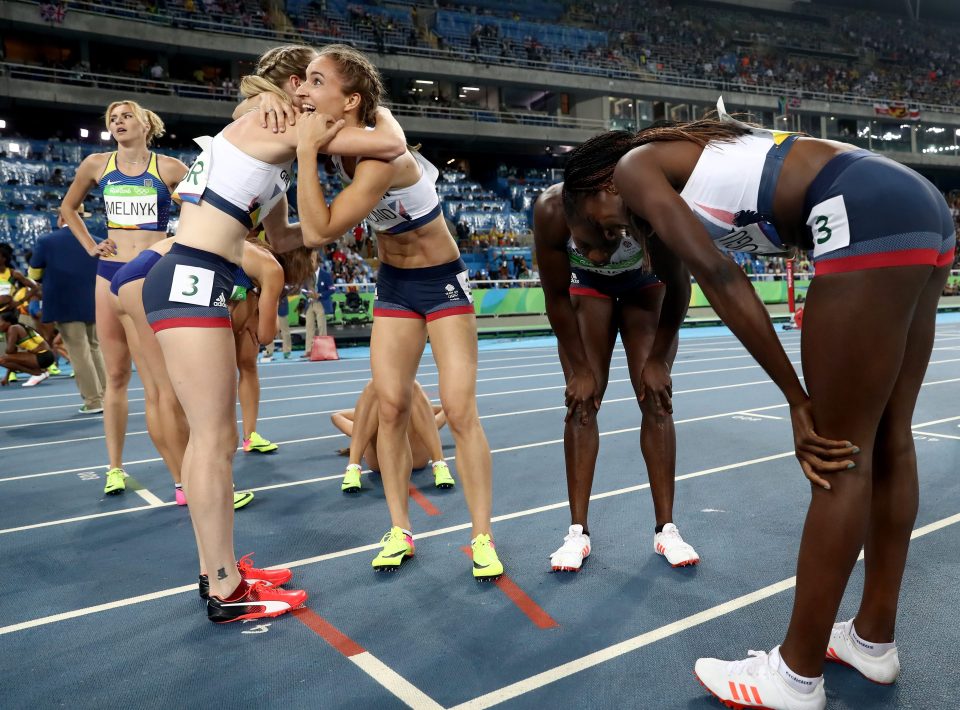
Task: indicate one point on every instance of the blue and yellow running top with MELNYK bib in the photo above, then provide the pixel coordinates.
(135, 202)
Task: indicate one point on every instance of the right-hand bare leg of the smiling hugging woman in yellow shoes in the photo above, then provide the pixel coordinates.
(454, 343)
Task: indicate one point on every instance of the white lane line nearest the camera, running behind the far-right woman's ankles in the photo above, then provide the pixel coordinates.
(609, 653)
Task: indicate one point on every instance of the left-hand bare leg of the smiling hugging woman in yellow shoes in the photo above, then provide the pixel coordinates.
(396, 346)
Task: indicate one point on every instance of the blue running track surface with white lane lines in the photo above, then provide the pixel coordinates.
(100, 608)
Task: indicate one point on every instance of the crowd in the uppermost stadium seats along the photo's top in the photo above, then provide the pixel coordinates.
(859, 53)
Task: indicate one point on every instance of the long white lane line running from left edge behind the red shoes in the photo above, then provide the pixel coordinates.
(354, 550)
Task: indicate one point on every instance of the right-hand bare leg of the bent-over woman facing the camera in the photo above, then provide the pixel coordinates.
(658, 438)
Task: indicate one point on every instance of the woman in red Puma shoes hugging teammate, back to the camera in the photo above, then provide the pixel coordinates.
(185, 300)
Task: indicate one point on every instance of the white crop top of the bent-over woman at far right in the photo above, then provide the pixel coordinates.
(731, 188)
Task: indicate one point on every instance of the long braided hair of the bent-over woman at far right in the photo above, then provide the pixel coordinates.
(590, 166)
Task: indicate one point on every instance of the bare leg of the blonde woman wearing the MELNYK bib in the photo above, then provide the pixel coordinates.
(116, 358)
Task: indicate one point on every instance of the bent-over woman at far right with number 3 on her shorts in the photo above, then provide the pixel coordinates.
(883, 241)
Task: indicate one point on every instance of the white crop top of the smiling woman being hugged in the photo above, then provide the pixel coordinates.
(403, 209)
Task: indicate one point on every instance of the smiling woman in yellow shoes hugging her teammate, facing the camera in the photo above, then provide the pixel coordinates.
(421, 289)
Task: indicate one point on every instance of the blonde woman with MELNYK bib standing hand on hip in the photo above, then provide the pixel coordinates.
(137, 184)
